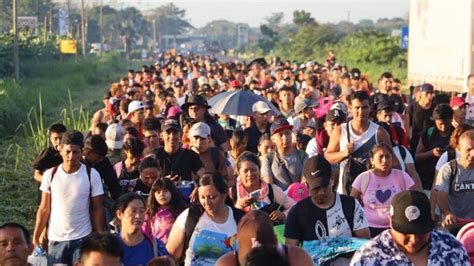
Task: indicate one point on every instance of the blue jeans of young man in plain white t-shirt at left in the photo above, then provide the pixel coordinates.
(65, 252)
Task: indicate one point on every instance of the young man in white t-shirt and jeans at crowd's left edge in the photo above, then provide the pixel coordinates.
(71, 205)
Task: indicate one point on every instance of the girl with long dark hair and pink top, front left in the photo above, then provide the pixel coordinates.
(164, 204)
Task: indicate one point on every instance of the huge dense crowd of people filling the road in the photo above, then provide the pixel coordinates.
(160, 179)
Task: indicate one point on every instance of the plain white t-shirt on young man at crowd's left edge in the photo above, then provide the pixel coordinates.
(70, 200)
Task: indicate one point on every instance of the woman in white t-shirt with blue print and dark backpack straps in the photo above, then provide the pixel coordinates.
(211, 225)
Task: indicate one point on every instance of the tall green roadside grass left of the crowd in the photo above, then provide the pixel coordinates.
(50, 92)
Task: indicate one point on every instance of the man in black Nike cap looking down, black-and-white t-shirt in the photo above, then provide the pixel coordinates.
(325, 213)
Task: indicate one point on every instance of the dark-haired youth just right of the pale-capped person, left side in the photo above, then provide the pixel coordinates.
(133, 151)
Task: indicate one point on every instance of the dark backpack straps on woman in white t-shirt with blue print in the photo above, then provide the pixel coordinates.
(195, 212)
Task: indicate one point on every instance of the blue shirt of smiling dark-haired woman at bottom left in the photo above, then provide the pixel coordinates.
(142, 253)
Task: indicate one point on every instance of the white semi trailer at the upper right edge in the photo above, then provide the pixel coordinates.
(440, 46)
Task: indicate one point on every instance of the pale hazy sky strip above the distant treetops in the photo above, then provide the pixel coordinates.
(200, 12)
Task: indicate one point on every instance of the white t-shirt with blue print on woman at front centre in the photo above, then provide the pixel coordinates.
(210, 240)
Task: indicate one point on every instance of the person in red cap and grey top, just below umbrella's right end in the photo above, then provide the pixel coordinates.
(284, 166)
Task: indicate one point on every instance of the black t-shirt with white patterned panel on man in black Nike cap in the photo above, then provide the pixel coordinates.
(308, 222)
